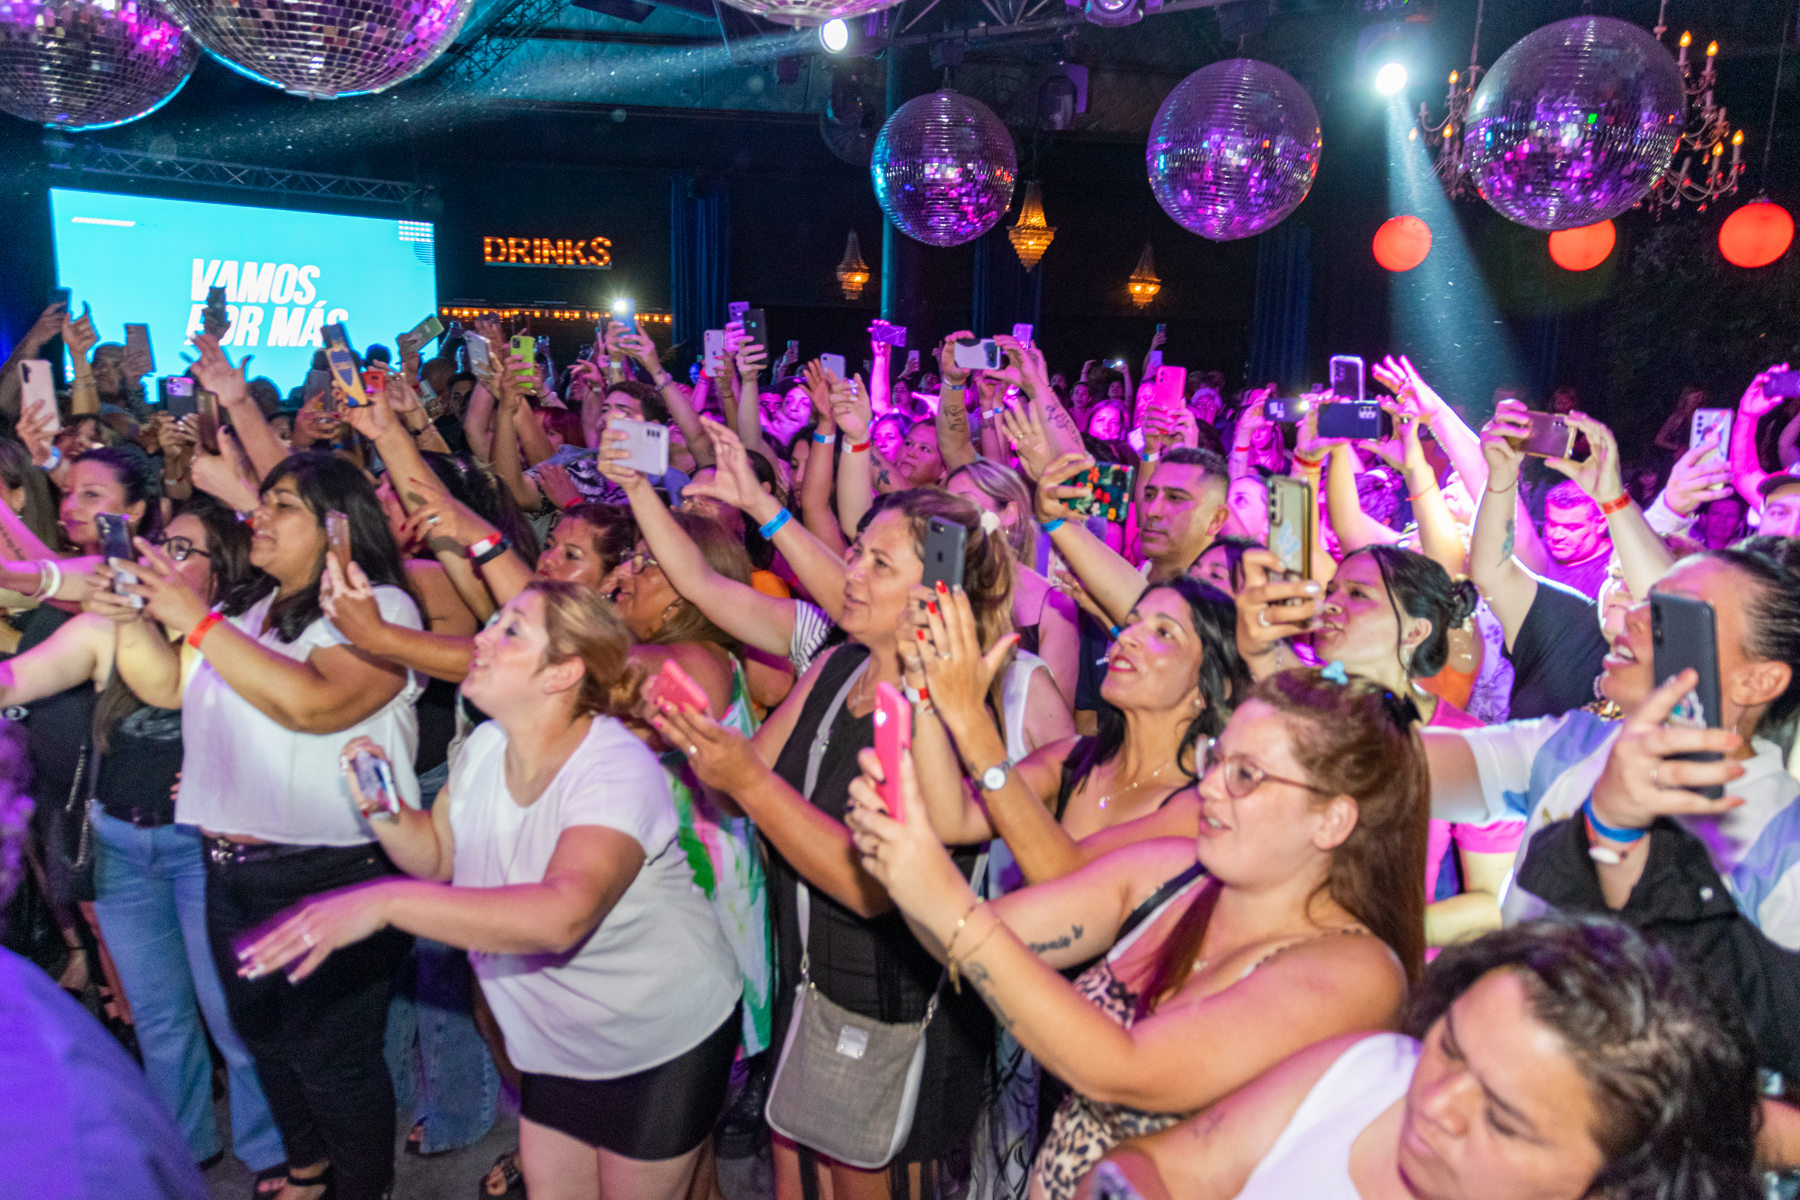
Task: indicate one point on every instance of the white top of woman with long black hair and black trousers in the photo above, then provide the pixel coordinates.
(246, 775)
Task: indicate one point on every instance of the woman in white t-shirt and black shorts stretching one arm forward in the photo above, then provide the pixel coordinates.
(553, 857)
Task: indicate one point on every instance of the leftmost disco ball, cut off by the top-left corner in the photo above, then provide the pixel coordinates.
(85, 66)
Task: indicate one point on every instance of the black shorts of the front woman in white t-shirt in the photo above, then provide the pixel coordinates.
(656, 1115)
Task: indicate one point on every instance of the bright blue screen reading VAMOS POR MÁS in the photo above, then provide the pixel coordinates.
(285, 274)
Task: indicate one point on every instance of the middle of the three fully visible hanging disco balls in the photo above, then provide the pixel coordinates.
(1234, 150)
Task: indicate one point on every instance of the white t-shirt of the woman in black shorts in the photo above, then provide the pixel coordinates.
(656, 978)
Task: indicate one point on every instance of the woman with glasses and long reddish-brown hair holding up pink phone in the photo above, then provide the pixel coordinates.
(1293, 917)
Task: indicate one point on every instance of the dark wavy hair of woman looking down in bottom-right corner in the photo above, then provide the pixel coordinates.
(1671, 1068)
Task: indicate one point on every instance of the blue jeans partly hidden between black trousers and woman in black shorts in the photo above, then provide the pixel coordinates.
(444, 1073)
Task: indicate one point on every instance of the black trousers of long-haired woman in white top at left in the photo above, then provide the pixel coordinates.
(318, 1043)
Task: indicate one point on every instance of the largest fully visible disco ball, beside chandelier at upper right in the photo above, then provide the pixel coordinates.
(1574, 123)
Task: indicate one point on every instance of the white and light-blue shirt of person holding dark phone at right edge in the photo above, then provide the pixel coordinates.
(1545, 769)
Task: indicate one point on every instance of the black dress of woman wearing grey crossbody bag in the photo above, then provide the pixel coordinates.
(876, 967)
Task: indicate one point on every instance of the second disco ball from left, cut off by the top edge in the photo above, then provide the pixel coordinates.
(325, 49)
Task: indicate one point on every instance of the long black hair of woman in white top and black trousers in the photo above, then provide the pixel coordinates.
(327, 483)
